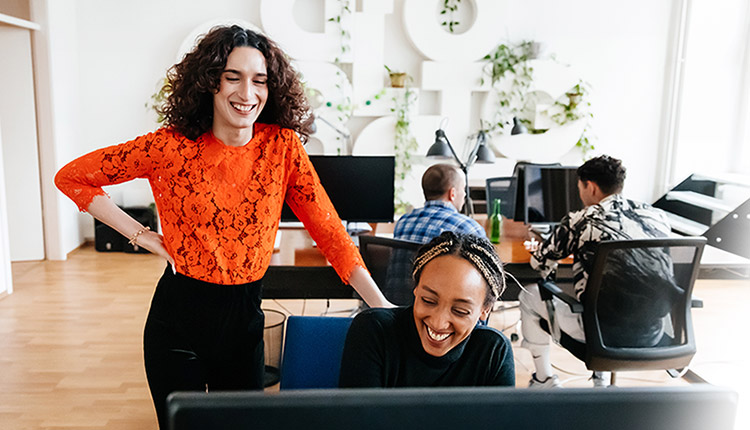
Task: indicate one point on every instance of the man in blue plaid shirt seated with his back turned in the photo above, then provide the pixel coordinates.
(444, 188)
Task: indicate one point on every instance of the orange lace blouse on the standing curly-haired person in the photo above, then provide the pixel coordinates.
(219, 205)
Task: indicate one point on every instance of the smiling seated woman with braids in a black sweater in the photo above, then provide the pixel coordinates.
(435, 342)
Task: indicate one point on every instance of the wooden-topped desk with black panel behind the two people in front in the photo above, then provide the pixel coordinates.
(299, 270)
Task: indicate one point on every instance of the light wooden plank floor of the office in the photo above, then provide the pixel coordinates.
(71, 336)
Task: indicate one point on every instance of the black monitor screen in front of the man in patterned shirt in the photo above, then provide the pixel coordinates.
(550, 193)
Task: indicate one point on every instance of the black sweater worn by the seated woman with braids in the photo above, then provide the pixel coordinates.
(383, 349)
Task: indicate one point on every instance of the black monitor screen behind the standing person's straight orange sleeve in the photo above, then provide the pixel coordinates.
(360, 188)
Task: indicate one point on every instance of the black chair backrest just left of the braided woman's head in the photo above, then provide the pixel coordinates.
(390, 262)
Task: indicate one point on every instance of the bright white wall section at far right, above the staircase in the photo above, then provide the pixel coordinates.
(715, 90)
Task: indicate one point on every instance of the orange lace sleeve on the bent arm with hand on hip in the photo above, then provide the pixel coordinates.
(82, 179)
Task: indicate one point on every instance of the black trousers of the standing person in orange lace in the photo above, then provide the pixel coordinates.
(201, 336)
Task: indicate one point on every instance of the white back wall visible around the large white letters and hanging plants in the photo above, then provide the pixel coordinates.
(622, 49)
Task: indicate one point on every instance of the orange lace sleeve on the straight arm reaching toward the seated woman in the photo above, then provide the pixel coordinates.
(309, 201)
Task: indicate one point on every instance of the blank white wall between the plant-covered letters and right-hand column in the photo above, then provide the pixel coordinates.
(621, 49)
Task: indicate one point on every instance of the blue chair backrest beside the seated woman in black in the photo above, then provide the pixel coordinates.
(313, 347)
